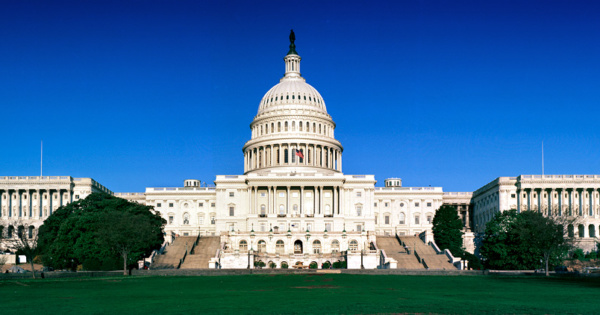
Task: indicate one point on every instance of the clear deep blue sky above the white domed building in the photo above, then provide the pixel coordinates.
(139, 94)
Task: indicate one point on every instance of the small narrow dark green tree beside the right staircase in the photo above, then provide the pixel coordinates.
(447, 230)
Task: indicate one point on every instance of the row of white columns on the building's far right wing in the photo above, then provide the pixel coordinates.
(582, 202)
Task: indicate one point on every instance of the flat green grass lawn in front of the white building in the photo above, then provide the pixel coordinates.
(301, 294)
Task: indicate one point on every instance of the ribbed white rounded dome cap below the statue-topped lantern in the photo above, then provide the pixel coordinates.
(292, 93)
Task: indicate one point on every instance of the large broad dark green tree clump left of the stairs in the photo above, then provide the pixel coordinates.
(76, 234)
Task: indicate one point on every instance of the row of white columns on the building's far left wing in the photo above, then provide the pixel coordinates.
(32, 203)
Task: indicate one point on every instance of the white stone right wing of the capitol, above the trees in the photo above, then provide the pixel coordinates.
(575, 196)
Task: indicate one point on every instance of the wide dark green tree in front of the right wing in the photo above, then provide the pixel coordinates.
(518, 241)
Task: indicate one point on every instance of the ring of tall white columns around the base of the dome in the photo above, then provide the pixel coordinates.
(286, 155)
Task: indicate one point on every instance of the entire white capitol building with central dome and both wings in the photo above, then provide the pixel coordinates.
(294, 206)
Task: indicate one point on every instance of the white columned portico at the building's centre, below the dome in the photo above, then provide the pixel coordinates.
(315, 205)
